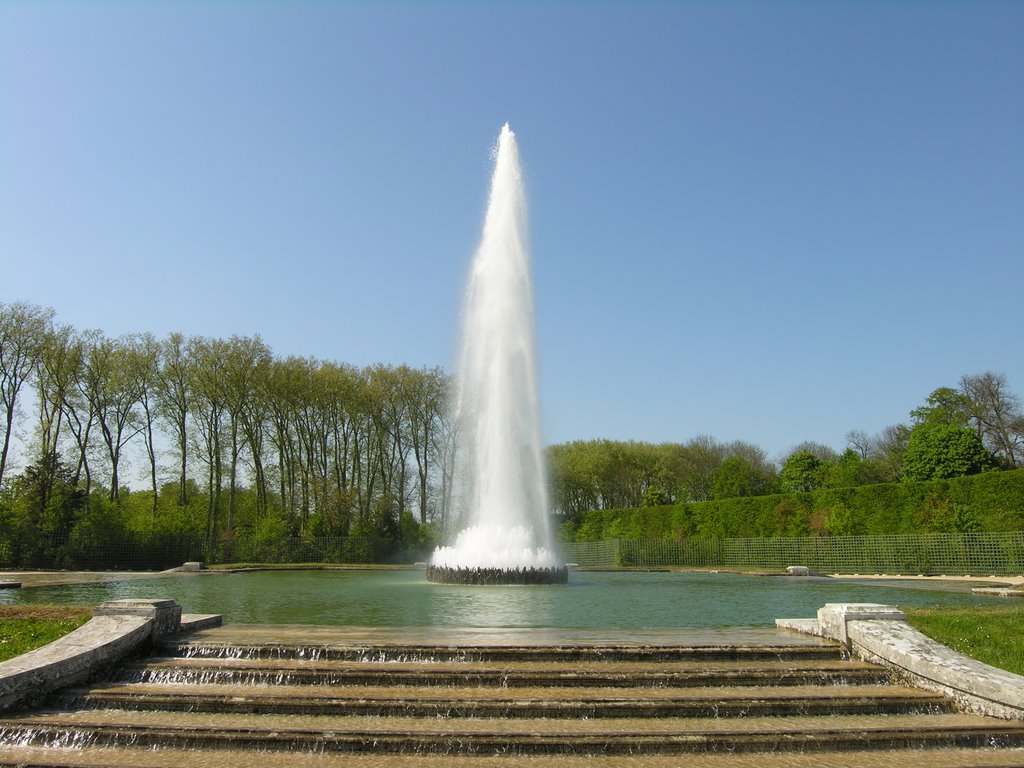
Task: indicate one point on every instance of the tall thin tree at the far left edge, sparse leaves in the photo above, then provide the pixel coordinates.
(23, 335)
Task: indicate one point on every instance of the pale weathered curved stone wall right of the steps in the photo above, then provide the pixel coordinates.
(878, 633)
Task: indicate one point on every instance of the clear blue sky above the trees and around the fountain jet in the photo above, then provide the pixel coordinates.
(772, 222)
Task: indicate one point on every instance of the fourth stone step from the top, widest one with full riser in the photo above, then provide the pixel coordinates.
(405, 736)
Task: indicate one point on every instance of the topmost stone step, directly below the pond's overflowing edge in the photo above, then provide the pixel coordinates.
(493, 653)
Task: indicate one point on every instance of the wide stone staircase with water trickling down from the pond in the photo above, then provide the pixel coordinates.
(208, 701)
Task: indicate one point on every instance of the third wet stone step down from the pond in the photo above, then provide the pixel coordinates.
(510, 703)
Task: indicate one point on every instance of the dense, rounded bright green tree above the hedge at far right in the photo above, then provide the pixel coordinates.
(942, 451)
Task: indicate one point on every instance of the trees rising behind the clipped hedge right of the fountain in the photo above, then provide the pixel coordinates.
(973, 429)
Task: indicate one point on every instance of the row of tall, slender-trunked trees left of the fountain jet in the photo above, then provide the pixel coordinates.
(289, 445)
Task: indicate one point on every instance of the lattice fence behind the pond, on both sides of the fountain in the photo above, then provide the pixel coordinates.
(930, 554)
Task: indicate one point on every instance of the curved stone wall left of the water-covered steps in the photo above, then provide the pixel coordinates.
(117, 629)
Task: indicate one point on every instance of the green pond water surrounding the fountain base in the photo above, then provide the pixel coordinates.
(404, 599)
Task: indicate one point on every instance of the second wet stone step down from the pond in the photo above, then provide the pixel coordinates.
(523, 674)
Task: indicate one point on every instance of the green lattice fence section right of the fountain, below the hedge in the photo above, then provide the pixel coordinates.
(929, 554)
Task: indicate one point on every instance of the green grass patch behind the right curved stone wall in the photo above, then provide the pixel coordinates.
(991, 634)
